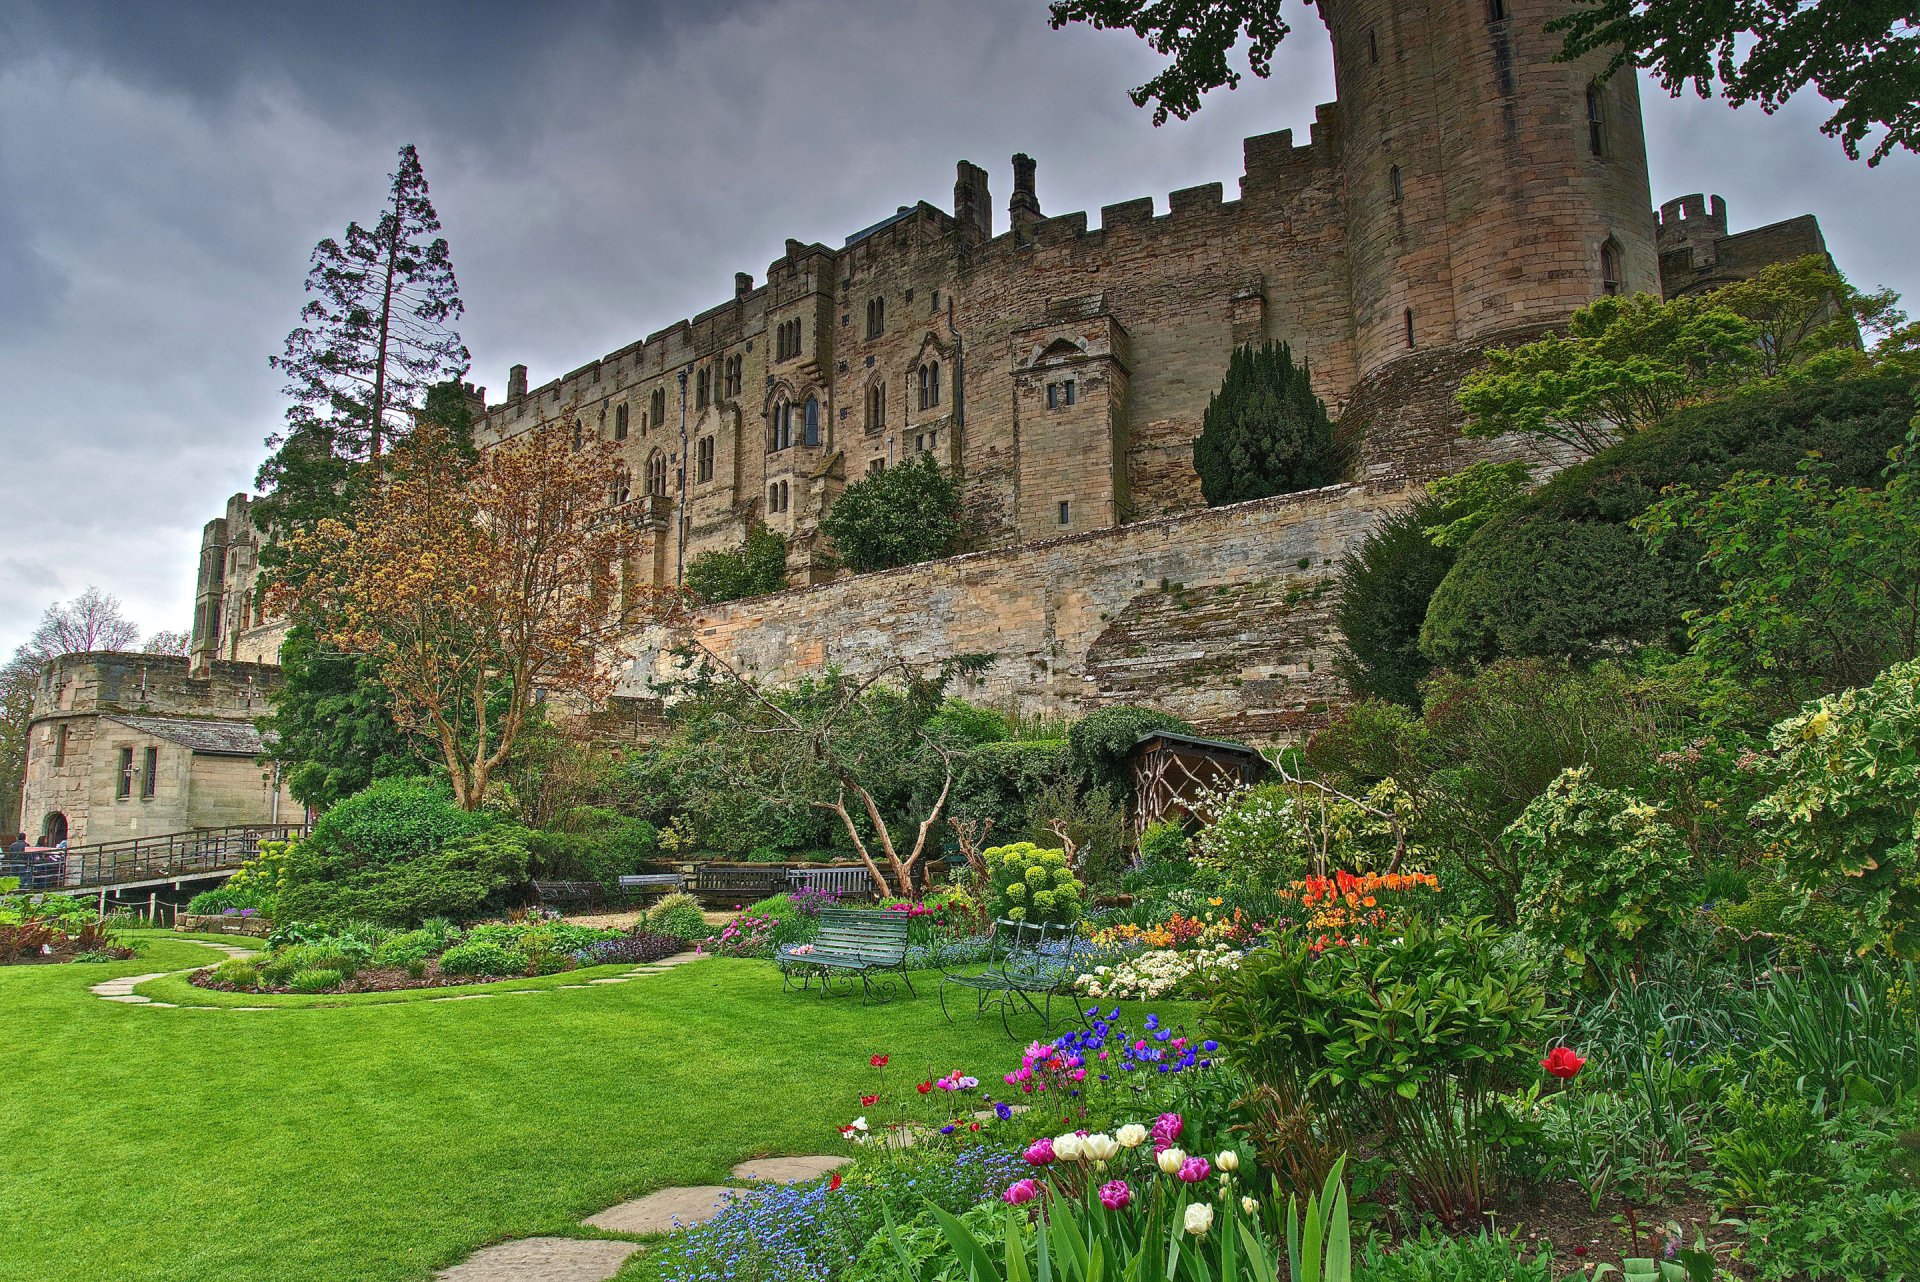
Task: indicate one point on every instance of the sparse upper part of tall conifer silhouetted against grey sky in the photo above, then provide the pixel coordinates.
(373, 339)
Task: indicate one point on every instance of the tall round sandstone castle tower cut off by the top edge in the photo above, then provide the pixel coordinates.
(1491, 191)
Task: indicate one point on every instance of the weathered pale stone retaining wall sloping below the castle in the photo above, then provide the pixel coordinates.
(1222, 615)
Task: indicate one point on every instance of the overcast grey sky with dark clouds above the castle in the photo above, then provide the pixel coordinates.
(602, 172)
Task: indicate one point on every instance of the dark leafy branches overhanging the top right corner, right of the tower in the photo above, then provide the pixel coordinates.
(1858, 55)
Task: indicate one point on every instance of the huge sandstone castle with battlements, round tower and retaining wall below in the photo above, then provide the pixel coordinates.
(1464, 191)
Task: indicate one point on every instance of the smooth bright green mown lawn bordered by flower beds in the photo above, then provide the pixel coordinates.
(379, 1139)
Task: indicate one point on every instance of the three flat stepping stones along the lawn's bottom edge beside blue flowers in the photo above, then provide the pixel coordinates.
(669, 1210)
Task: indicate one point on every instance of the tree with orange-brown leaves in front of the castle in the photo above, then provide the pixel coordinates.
(481, 586)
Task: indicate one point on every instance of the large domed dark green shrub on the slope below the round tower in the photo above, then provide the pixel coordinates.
(1566, 575)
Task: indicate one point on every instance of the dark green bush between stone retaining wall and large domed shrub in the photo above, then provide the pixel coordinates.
(1385, 586)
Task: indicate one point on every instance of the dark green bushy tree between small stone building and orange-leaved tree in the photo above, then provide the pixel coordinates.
(333, 724)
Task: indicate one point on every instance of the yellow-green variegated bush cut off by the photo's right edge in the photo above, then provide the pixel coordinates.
(1844, 815)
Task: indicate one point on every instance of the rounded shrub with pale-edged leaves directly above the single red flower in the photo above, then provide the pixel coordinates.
(1602, 874)
